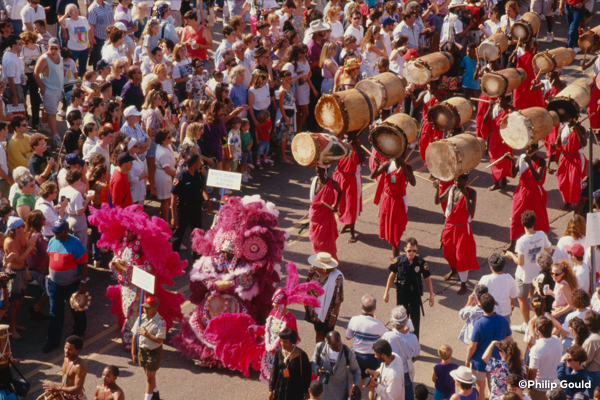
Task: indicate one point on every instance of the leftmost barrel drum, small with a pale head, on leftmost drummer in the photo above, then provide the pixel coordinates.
(310, 149)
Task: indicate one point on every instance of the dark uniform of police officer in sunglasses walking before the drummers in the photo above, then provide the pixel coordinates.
(409, 285)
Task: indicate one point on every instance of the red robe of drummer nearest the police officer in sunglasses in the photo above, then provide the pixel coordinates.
(457, 237)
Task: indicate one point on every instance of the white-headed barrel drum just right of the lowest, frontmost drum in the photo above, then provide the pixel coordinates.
(520, 129)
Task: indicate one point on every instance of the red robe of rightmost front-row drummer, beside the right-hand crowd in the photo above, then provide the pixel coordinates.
(571, 169)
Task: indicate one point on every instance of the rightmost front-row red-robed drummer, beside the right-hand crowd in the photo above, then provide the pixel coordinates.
(571, 168)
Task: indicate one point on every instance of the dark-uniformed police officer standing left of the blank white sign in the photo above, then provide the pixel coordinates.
(189, 189)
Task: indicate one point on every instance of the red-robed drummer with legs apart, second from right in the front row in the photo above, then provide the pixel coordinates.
(529, 194)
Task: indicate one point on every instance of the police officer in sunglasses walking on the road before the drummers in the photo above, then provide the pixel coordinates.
(407, 272)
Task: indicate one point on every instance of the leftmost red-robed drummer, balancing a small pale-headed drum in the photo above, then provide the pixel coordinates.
(323, 206)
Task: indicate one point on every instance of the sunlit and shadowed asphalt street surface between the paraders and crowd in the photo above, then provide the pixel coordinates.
(364, 265)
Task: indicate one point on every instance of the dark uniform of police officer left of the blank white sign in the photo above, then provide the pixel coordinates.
(189, 189)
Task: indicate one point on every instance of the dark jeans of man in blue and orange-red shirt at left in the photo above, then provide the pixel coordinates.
(58, 296)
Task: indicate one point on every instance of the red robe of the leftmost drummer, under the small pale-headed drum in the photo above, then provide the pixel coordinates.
(322, 230)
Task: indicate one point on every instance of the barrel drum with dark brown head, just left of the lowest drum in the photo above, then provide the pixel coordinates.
(392, 137)
